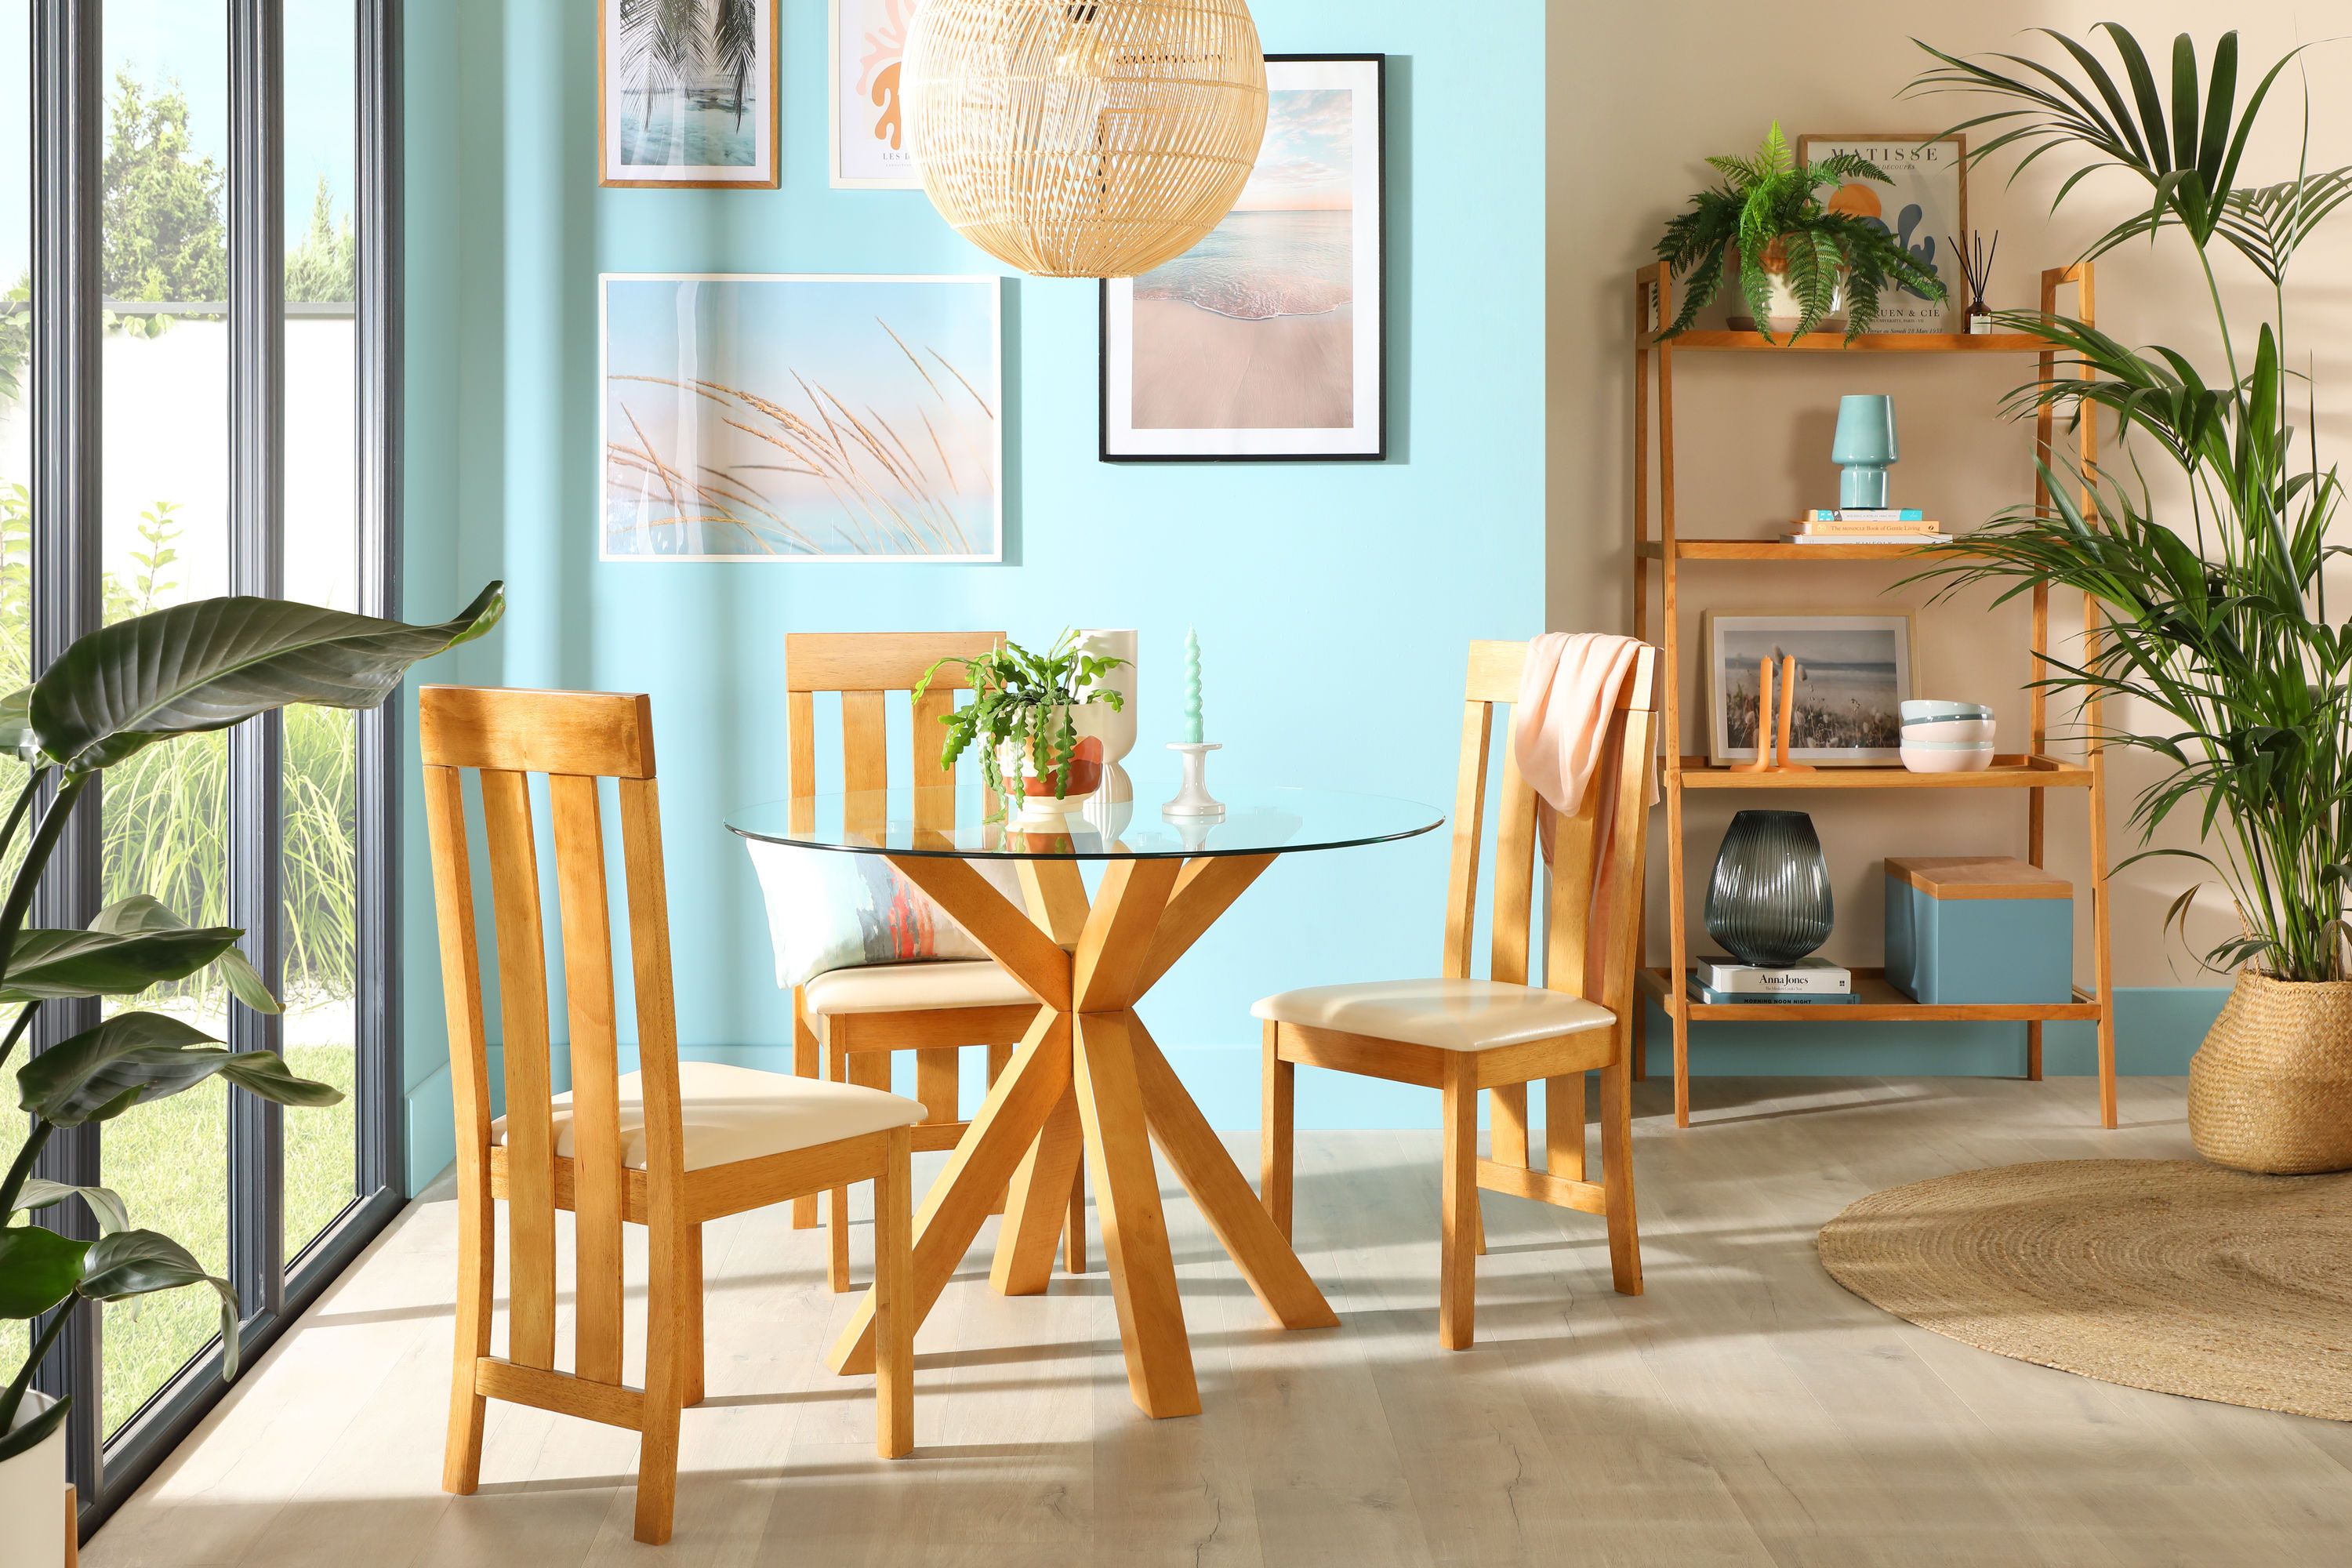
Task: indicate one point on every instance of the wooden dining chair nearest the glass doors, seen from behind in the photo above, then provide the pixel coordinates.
(667, 1146)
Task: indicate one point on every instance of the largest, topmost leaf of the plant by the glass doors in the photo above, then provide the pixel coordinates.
(218, 662)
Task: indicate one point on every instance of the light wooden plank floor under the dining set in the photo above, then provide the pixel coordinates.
(1744, 1412)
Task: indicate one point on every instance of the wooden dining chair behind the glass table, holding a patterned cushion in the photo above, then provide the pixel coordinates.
(855, 1019)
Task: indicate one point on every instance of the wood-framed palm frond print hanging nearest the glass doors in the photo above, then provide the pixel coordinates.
(688, 93)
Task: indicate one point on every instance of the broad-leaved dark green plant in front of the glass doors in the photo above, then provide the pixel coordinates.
(116, 692)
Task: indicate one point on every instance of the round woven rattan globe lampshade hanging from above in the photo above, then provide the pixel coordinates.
(1085, 138)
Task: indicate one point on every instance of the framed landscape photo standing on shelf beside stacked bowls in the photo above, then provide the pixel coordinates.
(1855, 674)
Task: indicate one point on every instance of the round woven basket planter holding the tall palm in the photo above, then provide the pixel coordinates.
(2271, 1087)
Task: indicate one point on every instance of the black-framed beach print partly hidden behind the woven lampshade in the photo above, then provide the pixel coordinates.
(1264, 342)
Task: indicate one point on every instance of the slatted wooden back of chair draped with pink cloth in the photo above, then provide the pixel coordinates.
(1495, 683)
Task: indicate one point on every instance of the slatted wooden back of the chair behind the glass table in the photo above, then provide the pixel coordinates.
(864, 669)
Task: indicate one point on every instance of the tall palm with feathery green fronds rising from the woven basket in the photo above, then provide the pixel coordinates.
(2210, 582)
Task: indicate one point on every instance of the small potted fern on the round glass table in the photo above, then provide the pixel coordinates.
(1024, 718)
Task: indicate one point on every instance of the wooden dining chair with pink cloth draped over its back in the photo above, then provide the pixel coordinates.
(1462, 1036)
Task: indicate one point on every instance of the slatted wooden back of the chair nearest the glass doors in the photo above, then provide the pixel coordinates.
(573, 739)
